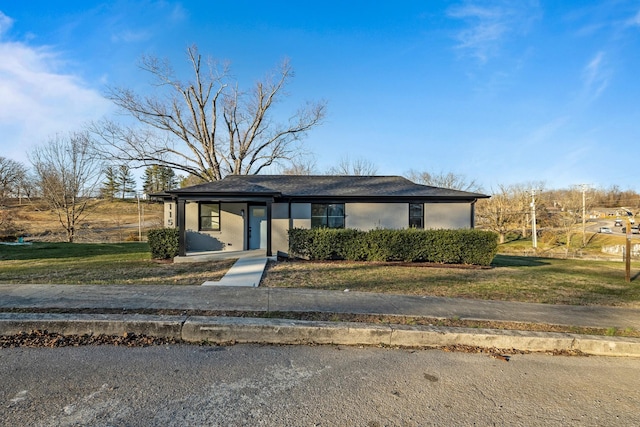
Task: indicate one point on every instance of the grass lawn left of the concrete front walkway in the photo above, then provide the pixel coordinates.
(109, 264)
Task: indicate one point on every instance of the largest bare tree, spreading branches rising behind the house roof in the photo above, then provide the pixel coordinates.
(208, 127)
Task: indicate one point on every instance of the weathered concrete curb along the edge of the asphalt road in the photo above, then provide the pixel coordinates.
(224, 330)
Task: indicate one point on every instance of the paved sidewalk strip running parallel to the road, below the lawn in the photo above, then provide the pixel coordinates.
(227, 298)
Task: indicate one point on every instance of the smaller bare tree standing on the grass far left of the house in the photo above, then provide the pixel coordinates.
(67, 171)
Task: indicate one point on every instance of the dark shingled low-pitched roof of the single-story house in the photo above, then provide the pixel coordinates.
(309, 186)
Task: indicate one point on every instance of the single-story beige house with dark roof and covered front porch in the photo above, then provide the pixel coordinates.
(256, 211)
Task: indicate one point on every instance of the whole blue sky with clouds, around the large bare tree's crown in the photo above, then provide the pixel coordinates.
(502, 92)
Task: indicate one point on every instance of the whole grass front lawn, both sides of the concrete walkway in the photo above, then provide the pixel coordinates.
(511, 278)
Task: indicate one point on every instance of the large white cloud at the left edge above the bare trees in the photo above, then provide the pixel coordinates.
(38, 101)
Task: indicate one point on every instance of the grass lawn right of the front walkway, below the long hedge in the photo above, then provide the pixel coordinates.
(511, 278)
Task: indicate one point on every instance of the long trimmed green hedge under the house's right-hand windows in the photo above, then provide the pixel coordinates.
(477, 247)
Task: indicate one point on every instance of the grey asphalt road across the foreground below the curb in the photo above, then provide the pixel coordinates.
(251, 385)
